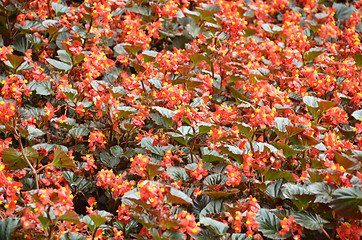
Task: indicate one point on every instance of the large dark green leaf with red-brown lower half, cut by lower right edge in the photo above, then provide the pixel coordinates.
(347, 202)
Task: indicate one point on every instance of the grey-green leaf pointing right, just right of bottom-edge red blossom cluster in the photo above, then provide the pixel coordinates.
(309, 220)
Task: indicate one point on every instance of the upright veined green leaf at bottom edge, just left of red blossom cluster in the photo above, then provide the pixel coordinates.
(269, 224)
